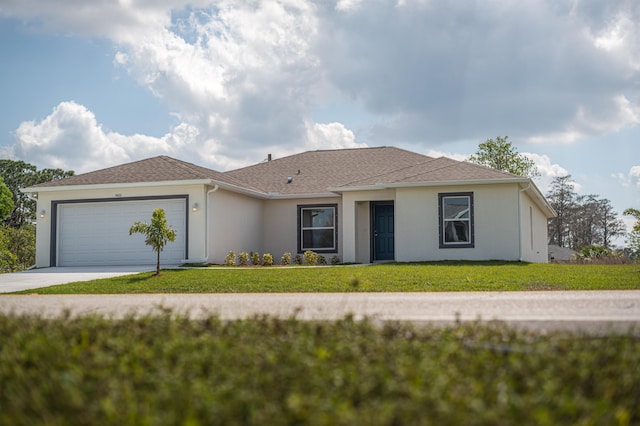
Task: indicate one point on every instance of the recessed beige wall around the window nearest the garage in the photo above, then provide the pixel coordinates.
(280, 225)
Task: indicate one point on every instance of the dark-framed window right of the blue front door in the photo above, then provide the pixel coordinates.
(456, 220)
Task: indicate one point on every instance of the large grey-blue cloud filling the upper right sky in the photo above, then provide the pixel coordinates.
(448, 71)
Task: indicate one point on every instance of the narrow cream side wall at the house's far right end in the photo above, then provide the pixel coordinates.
(534, 231)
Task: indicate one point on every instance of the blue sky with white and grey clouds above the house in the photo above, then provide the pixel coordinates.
(222, 84)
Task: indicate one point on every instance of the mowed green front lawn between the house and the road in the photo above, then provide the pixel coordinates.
(440, 276)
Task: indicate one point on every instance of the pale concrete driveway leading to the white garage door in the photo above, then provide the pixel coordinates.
(45, 277)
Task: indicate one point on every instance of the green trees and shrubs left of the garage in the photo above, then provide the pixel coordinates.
(18, 212)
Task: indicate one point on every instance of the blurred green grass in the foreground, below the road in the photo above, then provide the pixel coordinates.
(167, 370)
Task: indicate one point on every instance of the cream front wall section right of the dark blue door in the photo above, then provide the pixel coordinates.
(495, 224)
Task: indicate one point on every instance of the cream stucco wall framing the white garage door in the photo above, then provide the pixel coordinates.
(196, 194)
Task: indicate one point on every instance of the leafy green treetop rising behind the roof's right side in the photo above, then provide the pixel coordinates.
(500, 154)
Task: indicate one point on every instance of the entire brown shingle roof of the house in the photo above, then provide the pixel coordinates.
(312, 172)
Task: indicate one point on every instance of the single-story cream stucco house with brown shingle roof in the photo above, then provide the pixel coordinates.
(362, 205)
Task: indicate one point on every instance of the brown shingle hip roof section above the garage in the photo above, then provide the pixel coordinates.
(156, 169)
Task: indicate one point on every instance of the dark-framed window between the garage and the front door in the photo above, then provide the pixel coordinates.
(317, 228)
